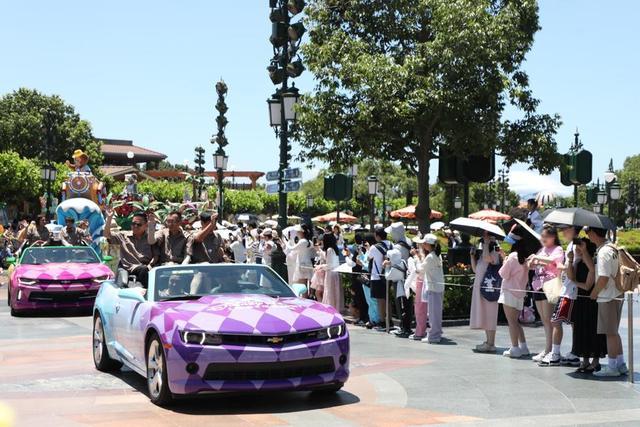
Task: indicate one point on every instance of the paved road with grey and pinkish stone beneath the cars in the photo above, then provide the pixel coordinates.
(48, 379)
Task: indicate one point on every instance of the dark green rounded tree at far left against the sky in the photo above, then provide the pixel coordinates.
(22, 127)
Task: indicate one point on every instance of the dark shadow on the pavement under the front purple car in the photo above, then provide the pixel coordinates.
(234, 403)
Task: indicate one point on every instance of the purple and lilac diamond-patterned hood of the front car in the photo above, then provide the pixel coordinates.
(246, 314)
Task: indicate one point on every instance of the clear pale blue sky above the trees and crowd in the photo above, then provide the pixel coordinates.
(145, 70)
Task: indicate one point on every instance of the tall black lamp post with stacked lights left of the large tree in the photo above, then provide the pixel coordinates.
(285, 38)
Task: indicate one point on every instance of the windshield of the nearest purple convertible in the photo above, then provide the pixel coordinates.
(193, 281)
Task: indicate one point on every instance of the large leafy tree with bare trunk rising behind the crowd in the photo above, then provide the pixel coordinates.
(399, 79)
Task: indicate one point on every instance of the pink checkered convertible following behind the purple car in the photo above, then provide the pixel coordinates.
(55, 278)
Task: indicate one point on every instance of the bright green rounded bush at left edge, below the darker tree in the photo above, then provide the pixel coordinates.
(19, 178)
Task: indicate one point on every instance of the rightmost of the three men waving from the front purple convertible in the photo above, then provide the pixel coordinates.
(206, 246)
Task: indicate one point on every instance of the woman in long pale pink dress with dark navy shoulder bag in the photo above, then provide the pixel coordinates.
(484, 309)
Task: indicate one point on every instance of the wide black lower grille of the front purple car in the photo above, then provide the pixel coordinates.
(268, 370)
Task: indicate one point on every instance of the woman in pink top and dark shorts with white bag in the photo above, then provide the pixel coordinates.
(546, 285)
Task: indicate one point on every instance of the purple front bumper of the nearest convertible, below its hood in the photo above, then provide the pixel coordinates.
(298, 366)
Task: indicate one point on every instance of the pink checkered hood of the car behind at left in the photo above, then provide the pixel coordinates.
(62, 271)
